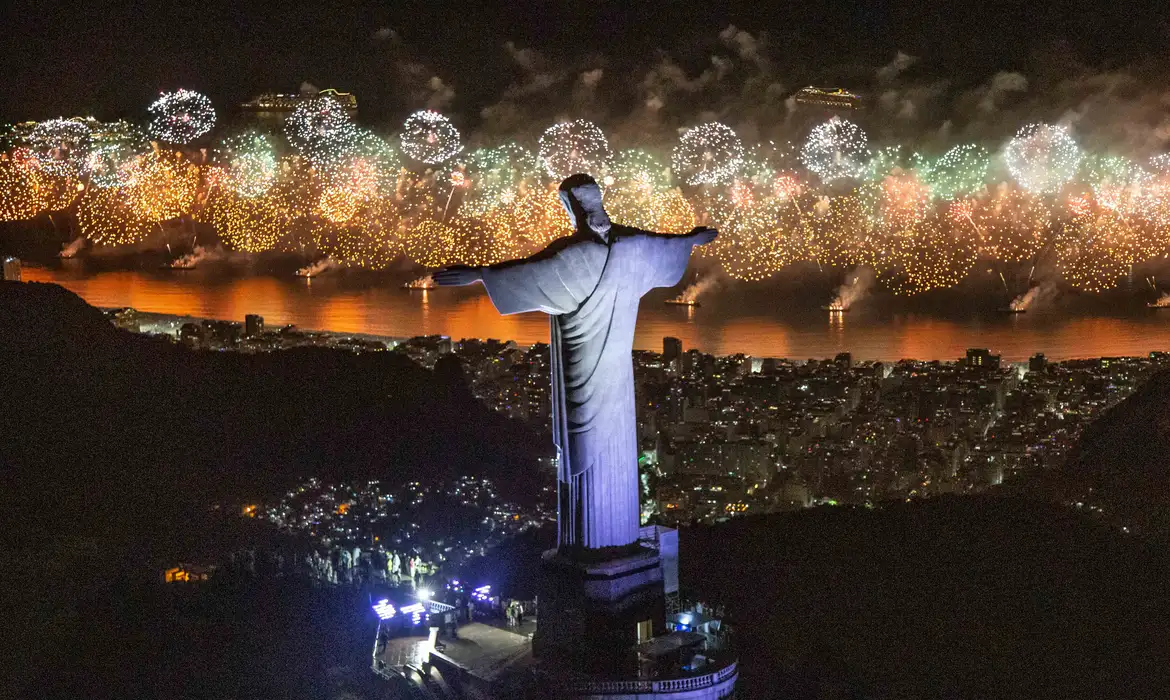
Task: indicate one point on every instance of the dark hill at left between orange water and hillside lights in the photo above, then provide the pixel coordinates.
(102, 426)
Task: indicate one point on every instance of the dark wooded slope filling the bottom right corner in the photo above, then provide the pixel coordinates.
(953, 598)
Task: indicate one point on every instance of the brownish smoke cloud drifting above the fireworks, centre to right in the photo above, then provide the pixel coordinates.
(744, 83)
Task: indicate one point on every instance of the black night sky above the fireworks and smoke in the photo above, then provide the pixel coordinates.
(112, 59)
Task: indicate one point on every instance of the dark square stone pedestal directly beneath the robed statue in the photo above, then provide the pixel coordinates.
(590, 612)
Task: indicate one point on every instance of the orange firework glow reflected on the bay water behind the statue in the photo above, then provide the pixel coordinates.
(720, 326)
